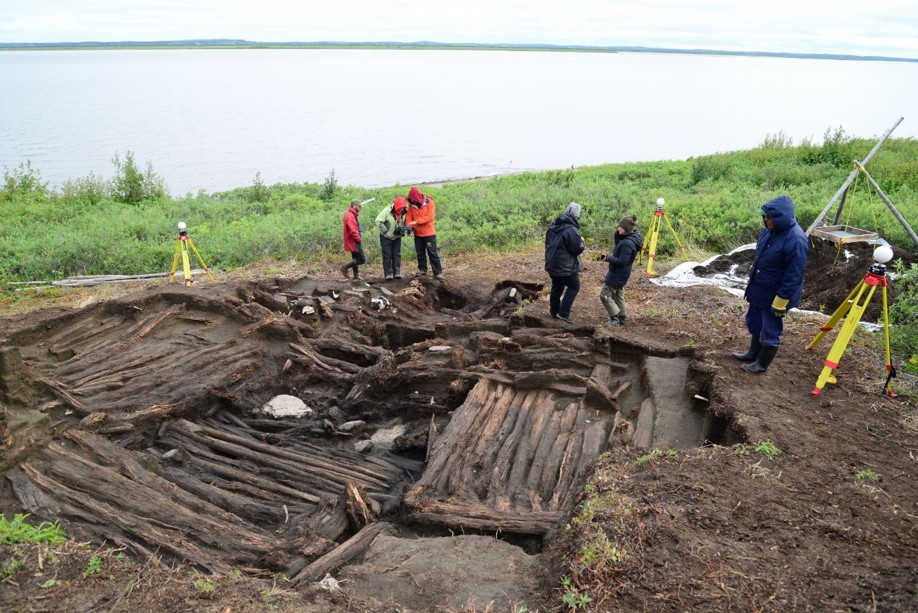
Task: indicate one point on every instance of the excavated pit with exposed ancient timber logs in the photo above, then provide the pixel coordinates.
(433, 408)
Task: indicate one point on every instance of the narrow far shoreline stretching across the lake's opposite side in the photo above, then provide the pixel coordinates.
(427, 46)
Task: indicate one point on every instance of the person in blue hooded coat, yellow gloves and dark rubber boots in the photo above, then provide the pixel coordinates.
(775, 281)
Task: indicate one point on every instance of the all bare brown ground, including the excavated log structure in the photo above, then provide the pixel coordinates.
(126, 418)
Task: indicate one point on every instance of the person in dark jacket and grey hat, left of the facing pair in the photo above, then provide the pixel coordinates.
(563, 246)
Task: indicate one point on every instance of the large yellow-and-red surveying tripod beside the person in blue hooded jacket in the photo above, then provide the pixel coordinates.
(854, 306)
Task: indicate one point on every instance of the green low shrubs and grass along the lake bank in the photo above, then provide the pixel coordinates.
(127, 224)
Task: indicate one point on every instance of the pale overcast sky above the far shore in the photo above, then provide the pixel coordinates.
(880, 28)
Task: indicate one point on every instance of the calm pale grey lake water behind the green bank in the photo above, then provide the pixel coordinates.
(212, 119)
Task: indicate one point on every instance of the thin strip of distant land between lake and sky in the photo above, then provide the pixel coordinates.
(223, 42)
